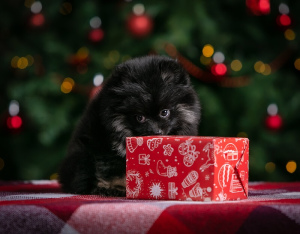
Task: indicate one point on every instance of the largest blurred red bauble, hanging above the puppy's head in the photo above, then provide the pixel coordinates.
(139, 25)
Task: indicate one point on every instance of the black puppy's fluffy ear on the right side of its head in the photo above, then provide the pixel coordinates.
(173, 72)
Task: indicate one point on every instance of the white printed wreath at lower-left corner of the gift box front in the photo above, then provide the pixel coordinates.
(133, 183)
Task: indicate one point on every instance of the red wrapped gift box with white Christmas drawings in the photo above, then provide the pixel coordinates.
(187, 168)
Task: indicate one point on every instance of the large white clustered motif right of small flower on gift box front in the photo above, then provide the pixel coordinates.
(189, 152)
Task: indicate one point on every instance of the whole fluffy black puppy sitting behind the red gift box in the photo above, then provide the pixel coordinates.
(150, 95)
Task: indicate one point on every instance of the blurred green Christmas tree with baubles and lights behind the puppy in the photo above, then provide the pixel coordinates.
(242, 56)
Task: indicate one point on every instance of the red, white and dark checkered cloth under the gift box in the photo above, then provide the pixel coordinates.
(41, 207)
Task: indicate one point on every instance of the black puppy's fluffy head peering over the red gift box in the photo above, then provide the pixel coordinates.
(152, 96)
